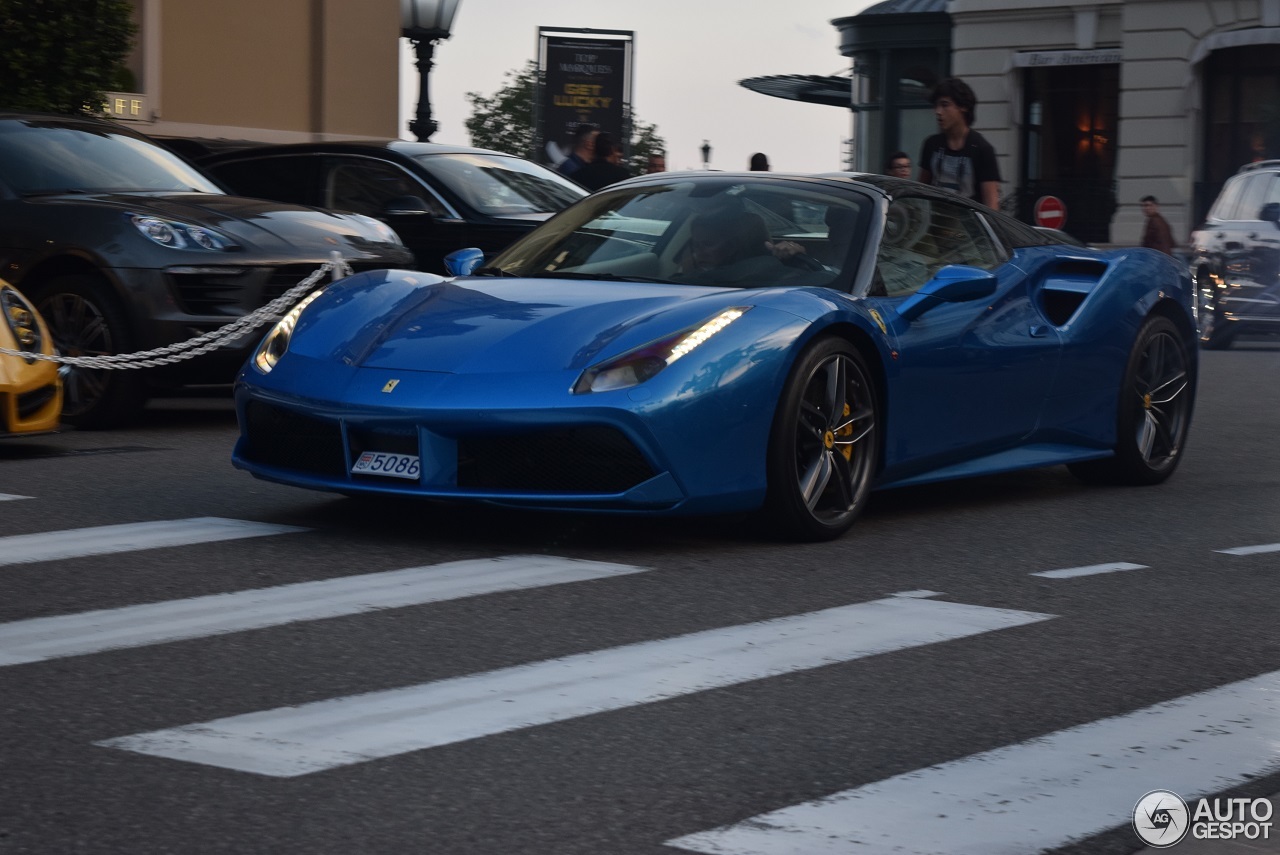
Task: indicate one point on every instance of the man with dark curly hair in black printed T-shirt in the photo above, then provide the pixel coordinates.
(959, 158)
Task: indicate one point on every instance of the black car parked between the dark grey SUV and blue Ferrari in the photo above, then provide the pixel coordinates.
(437, 198)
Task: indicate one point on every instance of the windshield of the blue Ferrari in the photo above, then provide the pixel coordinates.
(728, 232)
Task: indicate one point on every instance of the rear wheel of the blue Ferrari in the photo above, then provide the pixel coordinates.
(1154, 412)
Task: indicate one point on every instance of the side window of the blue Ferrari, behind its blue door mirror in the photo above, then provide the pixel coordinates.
(922, 236)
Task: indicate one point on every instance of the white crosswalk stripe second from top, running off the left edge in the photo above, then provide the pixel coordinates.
(68, 635)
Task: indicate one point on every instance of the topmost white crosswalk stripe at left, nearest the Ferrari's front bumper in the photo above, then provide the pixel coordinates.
(102, 541)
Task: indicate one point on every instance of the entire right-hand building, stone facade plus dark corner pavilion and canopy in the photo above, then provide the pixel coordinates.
(1096, 103)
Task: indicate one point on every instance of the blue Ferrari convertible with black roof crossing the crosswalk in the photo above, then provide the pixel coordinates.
(715, 344)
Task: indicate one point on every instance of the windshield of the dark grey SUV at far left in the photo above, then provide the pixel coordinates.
(58, 158)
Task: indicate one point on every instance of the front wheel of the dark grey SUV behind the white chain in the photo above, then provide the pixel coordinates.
(86, 321)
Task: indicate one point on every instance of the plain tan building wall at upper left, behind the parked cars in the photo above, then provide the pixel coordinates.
(286, 71)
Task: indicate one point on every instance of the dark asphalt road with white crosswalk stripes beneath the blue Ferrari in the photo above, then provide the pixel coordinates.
(694, 678)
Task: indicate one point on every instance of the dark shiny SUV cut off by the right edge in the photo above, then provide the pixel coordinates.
(1236, 258)
